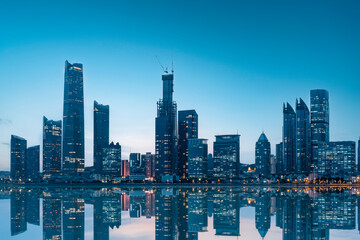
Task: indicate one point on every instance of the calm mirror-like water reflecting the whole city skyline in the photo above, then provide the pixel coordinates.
(179, 213)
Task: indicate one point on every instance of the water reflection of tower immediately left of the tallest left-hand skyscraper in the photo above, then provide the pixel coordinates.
(51, 218)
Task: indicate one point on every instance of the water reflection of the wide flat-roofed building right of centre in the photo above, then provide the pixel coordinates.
(226, 214)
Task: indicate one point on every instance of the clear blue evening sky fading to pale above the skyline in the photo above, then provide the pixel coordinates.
(235, 62)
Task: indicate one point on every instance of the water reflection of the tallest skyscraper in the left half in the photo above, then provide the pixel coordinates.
(73, 213)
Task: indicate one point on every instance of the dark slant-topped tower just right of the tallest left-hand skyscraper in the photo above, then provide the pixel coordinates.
(101, 133)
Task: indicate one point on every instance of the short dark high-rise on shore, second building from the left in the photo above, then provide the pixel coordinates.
(33, 163)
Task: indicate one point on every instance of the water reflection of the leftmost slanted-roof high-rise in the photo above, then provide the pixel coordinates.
(18, 211)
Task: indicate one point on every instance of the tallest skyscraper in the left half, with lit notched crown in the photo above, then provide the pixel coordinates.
(73, 155)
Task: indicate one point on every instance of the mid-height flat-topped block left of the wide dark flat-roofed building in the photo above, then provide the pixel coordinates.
(197, 158)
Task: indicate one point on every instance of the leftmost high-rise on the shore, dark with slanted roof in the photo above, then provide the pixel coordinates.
(18, 158)
